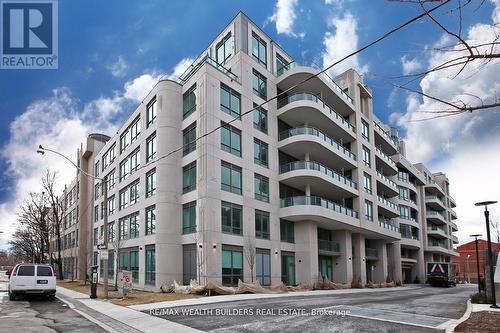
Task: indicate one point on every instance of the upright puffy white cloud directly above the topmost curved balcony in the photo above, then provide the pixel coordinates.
(341, 43)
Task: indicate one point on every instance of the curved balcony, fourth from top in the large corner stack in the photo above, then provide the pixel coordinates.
(323, 180)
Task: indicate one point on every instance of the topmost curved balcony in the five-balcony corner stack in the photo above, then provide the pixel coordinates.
(322, 83)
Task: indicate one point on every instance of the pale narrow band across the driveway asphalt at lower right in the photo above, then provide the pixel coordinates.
(393, 316)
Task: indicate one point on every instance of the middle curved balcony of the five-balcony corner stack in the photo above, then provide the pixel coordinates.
(300, 141)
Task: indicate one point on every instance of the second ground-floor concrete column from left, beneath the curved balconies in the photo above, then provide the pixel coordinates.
(342, 265)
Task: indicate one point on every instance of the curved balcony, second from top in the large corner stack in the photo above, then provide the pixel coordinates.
(306, 107)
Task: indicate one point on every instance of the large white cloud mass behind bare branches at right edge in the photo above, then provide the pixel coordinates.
(465, 147)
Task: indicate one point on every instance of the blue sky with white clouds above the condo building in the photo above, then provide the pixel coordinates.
(111, 55)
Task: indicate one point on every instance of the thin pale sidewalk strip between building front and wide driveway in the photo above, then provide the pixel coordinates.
(243, 297)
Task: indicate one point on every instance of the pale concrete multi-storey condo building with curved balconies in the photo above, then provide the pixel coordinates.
(206, 181)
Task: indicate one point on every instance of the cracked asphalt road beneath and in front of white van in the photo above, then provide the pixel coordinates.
(38, 314)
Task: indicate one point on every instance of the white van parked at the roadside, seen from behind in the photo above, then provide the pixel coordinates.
(39, 279)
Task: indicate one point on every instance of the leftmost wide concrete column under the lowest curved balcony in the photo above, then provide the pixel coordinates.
(306, 255)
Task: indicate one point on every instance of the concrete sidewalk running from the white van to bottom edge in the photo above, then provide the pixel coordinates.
(117, 319)
